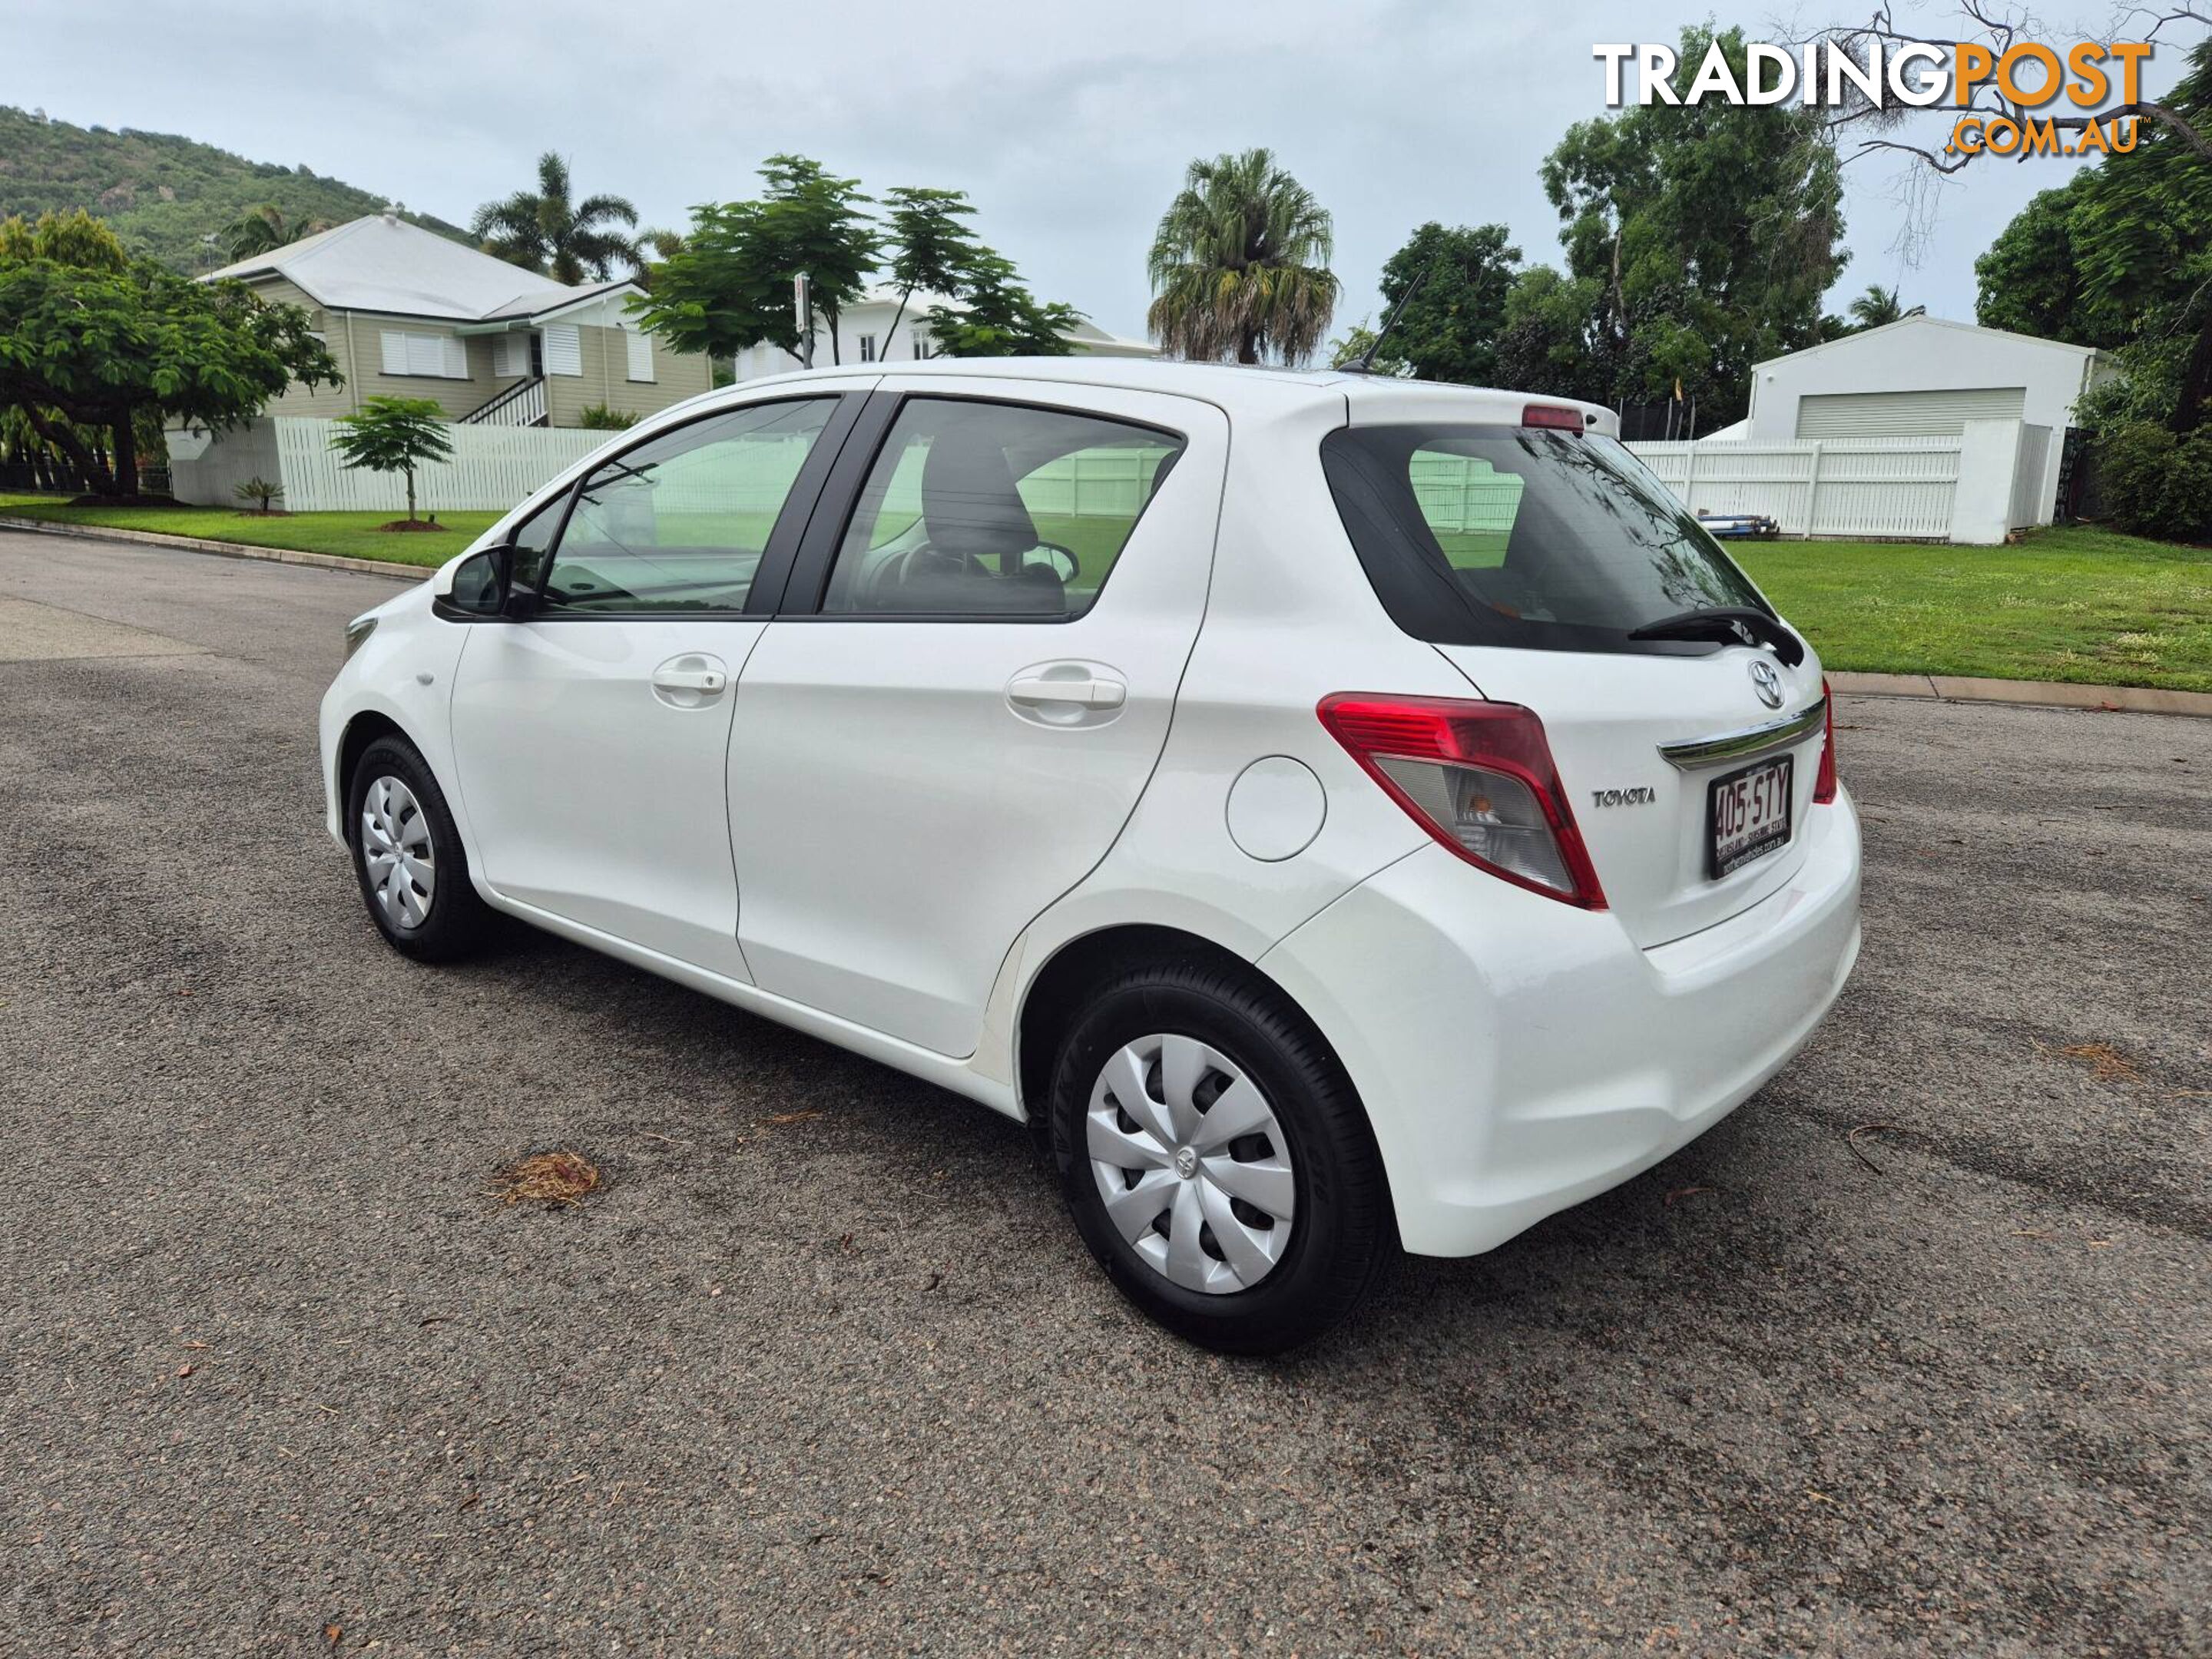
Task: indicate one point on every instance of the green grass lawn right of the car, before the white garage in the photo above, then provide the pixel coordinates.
(2078, 605)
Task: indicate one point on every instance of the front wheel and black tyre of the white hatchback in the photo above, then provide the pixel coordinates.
(415, 877)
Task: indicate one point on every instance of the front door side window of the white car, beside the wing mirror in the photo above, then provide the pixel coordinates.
(680, 523)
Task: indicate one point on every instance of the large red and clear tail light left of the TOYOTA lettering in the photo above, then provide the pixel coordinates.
(1479, 778)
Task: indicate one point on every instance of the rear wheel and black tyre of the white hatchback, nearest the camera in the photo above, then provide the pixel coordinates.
(1218, 1160)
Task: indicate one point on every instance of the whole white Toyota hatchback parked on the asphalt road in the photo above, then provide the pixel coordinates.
(1342, 815)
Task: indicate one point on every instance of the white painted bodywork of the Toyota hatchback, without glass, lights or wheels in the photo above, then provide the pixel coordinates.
(1514, 1054)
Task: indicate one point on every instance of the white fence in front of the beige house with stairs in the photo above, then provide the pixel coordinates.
(492, 470)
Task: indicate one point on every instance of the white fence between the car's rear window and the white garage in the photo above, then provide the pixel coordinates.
(1835, 488)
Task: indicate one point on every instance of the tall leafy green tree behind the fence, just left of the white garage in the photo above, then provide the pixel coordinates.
(1707, 236)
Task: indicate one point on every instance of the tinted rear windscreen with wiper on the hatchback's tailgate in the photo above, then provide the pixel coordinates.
(1525, 536)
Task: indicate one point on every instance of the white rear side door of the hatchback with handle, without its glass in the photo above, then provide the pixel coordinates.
(897, 820)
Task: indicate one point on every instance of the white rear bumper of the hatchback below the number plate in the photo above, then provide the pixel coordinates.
(1519, 1056)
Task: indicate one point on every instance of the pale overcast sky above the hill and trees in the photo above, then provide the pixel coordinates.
(1067, 125)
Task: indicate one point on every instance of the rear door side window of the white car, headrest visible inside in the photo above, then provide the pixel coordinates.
(990, 510)
